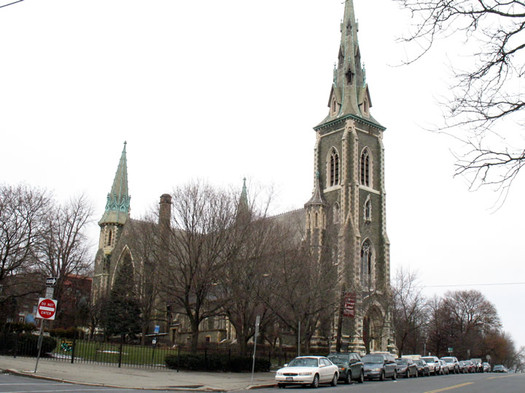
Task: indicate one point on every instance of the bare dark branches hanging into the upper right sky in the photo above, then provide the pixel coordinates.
(487, 96)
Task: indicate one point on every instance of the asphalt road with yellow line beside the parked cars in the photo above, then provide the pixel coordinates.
(462, 383)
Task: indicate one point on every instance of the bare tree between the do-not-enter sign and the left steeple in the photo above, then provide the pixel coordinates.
(64, 247)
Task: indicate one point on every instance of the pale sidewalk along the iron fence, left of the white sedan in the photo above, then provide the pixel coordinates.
(138, 378)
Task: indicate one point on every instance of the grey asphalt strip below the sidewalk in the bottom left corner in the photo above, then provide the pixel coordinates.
(18, 384)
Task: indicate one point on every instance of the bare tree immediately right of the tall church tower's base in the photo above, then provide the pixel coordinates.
(409, 312)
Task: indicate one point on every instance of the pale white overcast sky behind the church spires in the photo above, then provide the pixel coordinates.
(221, 90)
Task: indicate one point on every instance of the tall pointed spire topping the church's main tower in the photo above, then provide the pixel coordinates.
(349, 96)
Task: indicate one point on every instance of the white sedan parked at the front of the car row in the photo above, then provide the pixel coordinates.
(308, 370)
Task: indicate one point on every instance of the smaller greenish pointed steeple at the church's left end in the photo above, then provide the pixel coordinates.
(118, 200)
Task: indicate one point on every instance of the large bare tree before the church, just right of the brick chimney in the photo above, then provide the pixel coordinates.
(198, 247)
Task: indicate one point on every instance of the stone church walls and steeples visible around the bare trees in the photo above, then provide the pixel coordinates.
(345, 217)
